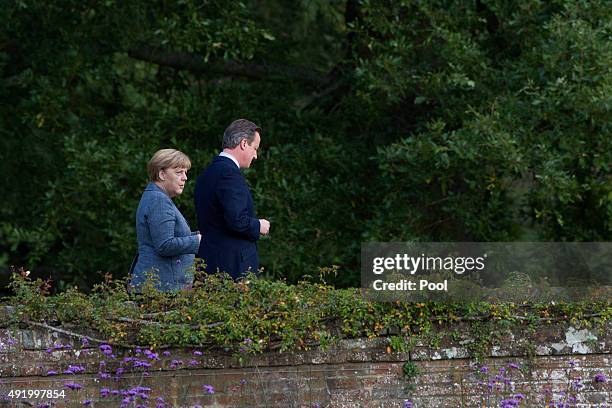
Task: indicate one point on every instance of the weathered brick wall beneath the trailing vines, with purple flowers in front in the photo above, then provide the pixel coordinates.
(542, 365)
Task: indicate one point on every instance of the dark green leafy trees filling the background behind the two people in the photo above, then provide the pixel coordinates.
(388, 120)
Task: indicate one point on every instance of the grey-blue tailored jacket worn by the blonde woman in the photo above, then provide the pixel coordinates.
(166, 245)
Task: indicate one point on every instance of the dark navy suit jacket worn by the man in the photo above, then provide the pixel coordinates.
(226, 219)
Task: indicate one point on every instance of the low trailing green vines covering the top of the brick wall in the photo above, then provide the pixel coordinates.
(254, 315)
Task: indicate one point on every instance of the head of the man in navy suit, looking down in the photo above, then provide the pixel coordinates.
(241, 139)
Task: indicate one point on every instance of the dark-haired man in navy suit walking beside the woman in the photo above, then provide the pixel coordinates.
(224, 205)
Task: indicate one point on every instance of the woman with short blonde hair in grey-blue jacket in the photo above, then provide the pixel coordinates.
(166, 245)
